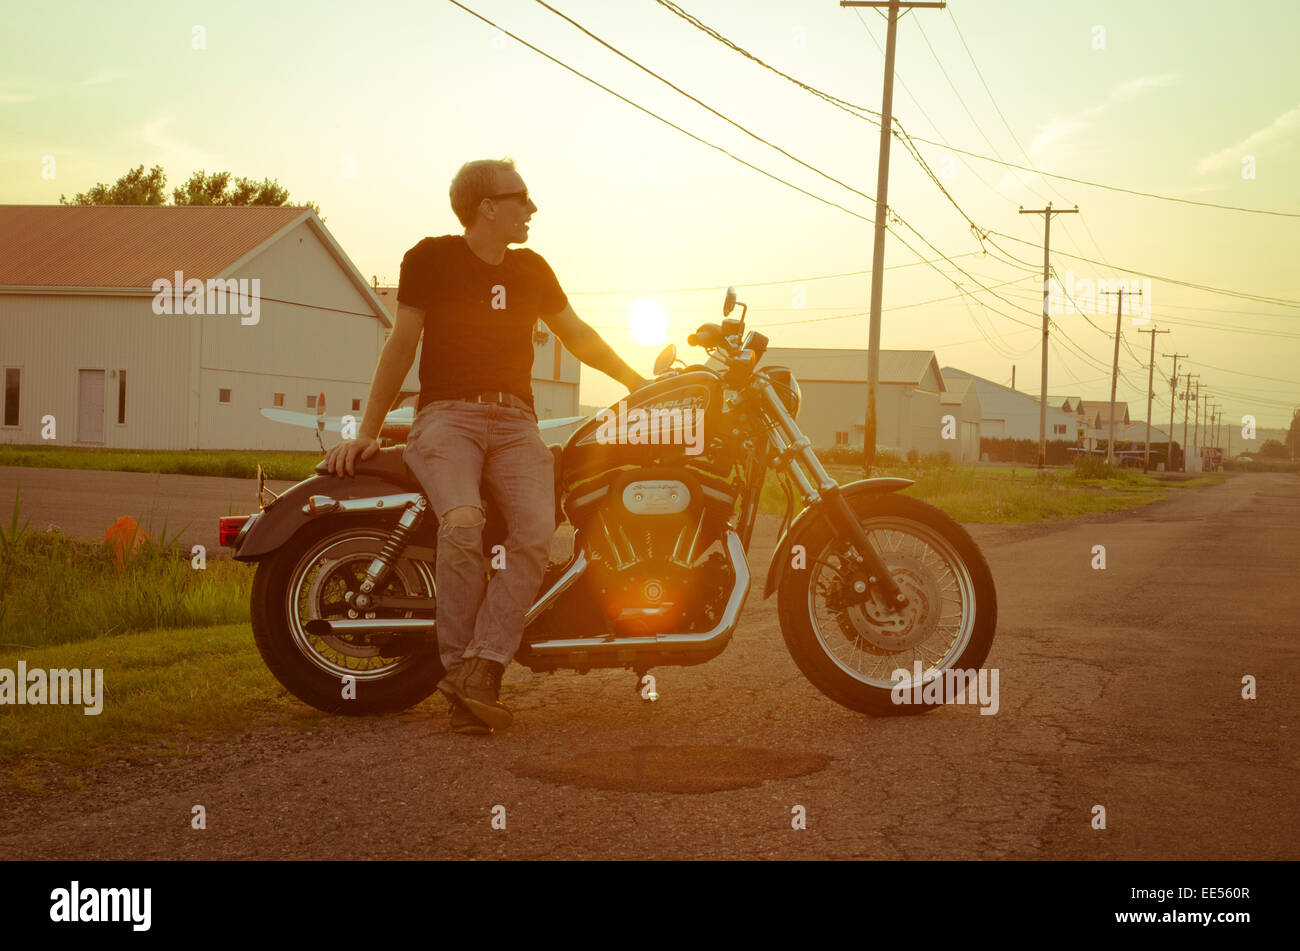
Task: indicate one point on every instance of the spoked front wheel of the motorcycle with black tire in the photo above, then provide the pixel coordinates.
(851, 652)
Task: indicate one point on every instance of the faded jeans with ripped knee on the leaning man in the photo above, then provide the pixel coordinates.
(454, 449)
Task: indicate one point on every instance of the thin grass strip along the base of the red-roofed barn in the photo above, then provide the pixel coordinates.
(293, 467)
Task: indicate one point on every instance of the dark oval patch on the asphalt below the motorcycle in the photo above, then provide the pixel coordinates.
(675, 768)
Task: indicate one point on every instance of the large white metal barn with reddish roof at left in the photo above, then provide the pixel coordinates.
(83, 340)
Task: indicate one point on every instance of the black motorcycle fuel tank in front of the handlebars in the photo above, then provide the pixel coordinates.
(673, 422)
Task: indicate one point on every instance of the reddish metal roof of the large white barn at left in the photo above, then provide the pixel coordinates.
(128, 246)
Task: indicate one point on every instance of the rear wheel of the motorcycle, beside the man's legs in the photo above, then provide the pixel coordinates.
(314, 577)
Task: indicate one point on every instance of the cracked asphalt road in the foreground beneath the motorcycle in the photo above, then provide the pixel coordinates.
(1119, 688)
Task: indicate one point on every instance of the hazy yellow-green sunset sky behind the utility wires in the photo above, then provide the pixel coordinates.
(369, 110)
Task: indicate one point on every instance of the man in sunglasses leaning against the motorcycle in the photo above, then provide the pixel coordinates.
(476, 302)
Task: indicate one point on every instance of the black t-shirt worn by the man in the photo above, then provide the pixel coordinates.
(479, 318)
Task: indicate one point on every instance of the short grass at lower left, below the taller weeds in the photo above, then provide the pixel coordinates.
(163, 692)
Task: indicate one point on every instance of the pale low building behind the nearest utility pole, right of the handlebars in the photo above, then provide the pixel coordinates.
(834, 384)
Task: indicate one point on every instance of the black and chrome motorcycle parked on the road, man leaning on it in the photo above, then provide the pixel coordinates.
(868, 583)
